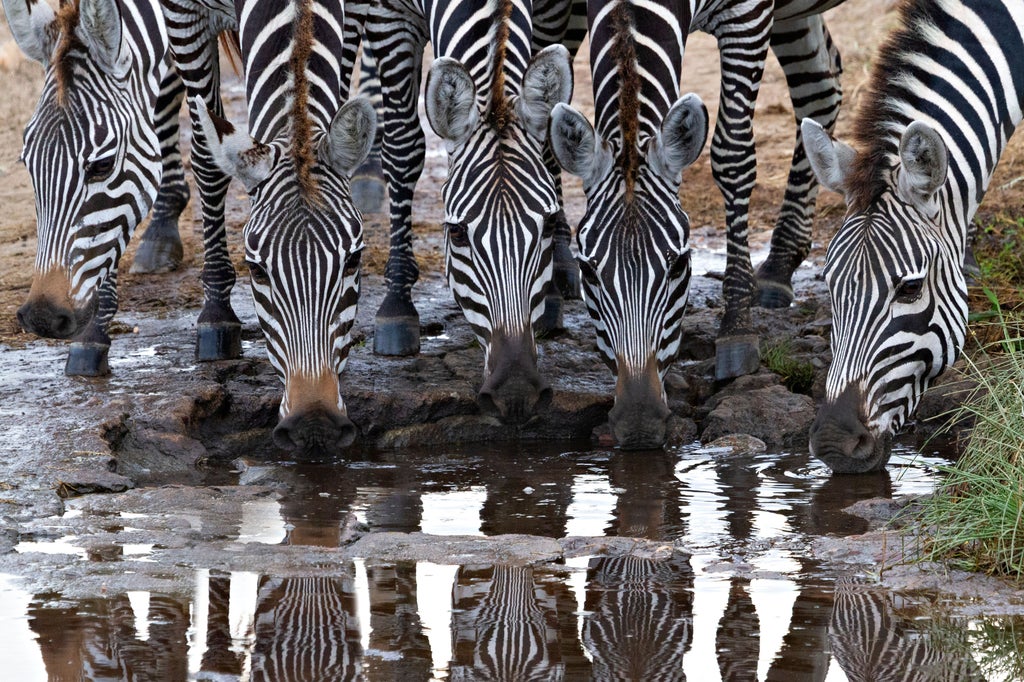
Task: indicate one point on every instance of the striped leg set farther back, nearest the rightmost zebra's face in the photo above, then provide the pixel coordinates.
(813, 68)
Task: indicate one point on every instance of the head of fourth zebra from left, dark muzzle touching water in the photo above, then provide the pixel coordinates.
(634, 257)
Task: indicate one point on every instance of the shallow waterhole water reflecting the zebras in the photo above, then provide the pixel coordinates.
(744, 602)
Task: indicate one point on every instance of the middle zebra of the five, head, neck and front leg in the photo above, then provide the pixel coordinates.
(489, 100)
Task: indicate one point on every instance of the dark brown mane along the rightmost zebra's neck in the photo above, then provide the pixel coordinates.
(873, 135)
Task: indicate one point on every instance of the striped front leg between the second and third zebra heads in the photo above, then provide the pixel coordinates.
(400, 48)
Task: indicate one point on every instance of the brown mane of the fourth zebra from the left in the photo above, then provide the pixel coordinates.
(625, 55)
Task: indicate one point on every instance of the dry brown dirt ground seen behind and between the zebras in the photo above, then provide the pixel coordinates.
(858, 27)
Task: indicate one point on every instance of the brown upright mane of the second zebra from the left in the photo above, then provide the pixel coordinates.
(304, 154)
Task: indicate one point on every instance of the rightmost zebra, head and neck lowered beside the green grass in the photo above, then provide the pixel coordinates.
(945, 97)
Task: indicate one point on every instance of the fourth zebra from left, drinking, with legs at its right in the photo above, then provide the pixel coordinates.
(636, 272)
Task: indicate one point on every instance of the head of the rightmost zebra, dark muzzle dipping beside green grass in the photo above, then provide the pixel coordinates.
(899, 294)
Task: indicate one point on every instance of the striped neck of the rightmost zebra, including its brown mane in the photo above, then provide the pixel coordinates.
(959, 67)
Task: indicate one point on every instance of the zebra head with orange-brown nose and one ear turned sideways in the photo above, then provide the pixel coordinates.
(304, 243)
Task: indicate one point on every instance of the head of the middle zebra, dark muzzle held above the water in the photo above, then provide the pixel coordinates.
(499, 203)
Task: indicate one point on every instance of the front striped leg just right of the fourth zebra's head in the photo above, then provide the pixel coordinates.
(743, 40)
